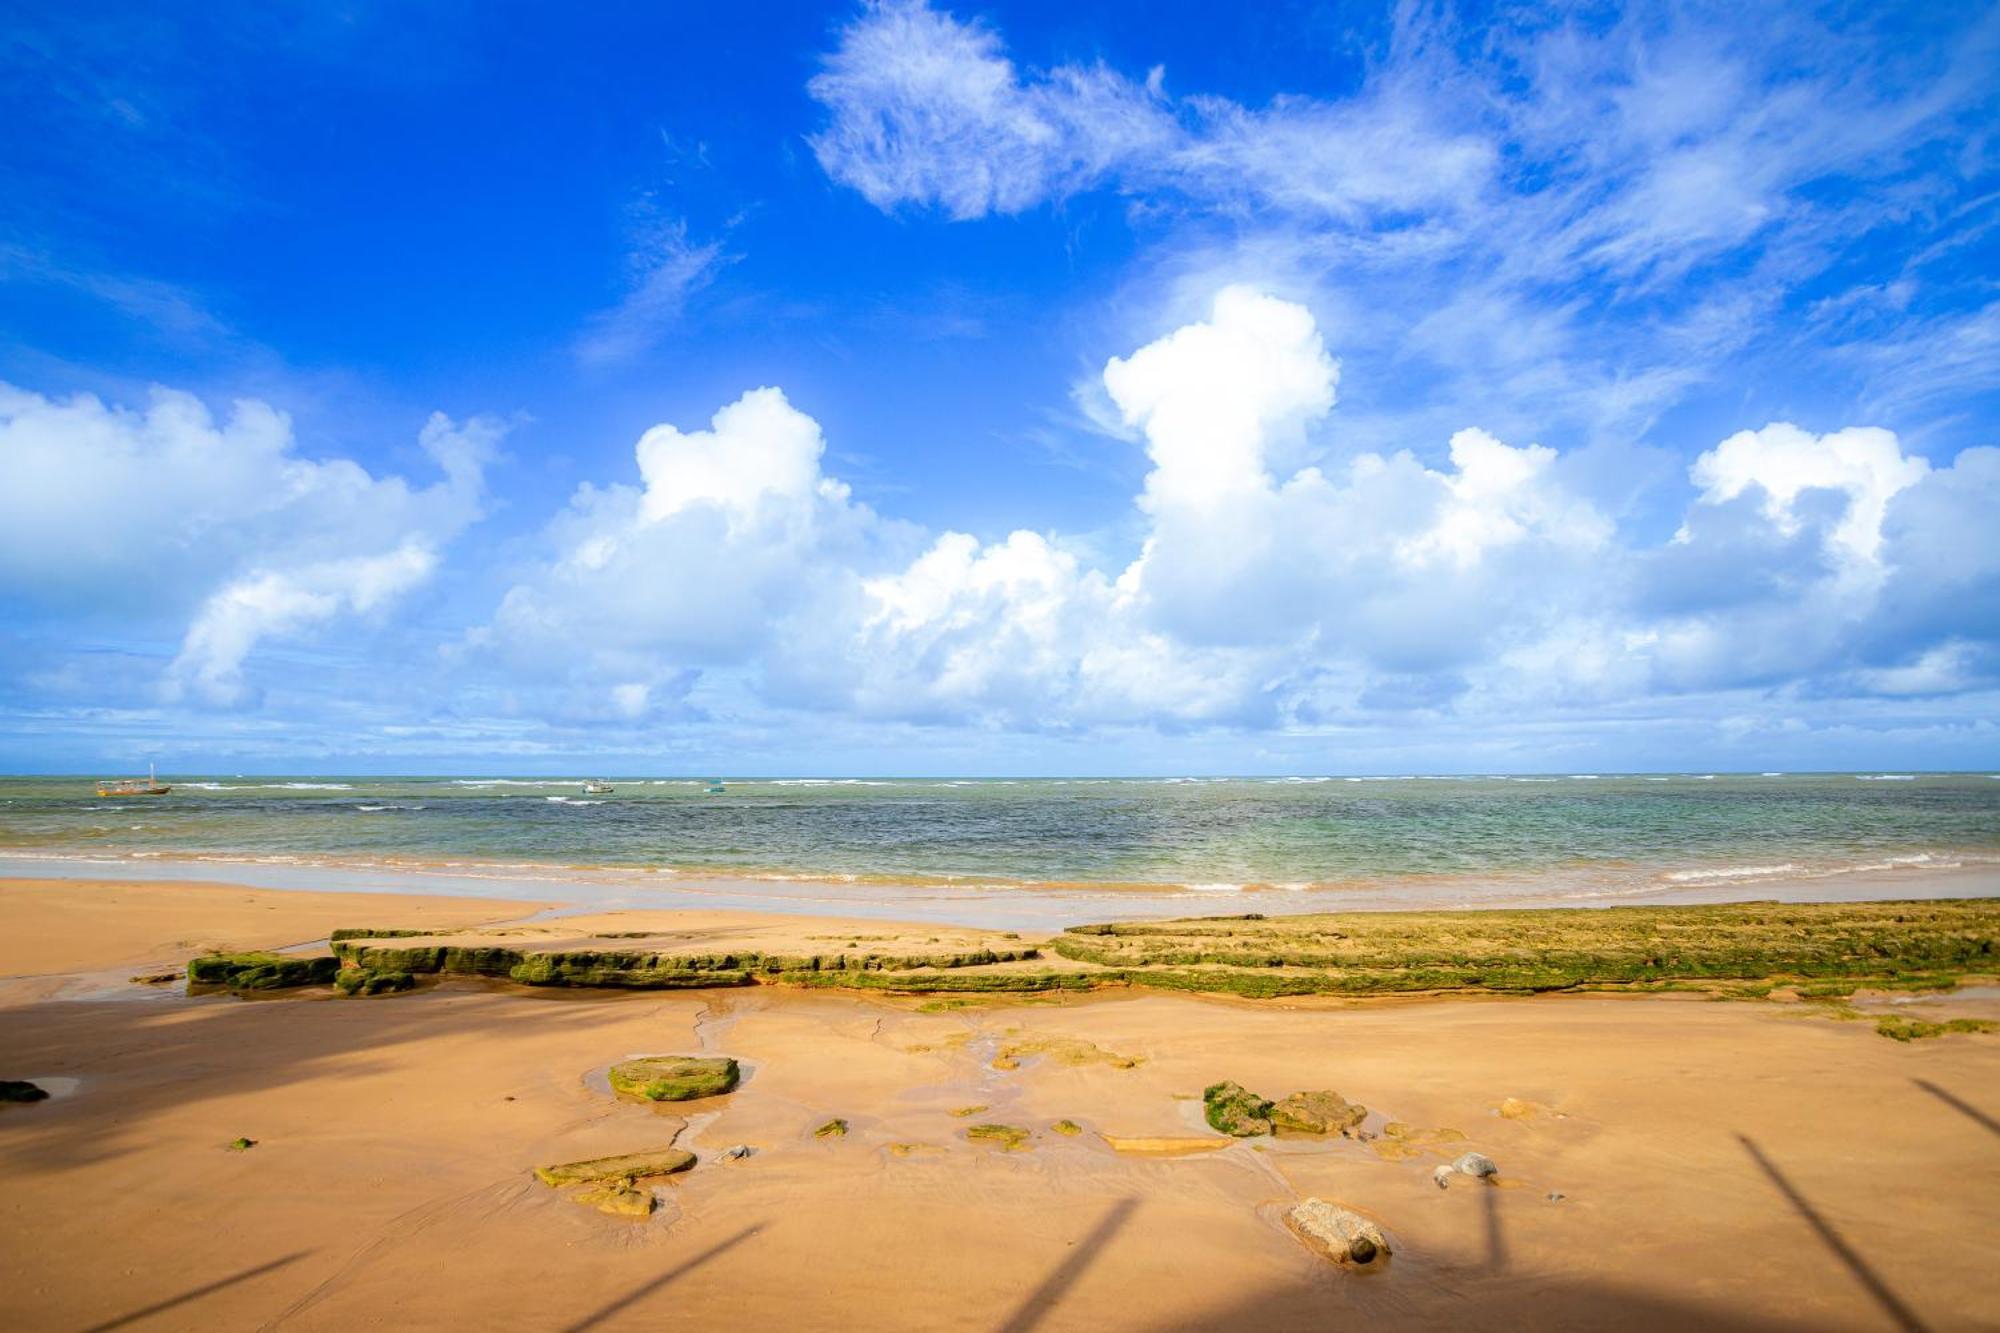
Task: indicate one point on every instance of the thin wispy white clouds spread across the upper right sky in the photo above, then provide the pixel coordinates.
(1569, 219)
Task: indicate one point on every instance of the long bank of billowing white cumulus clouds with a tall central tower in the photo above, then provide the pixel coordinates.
(1271, 587)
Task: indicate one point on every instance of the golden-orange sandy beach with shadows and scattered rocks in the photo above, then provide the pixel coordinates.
(1717, 1164)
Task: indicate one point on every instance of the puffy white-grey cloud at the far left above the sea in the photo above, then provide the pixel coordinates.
(169, 517)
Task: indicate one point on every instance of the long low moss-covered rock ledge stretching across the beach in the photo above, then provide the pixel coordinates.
(1735, 950)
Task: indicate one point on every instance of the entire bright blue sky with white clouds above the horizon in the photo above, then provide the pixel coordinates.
(999, 389)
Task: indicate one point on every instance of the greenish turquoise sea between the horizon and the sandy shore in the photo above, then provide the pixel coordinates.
(1605, 834)
